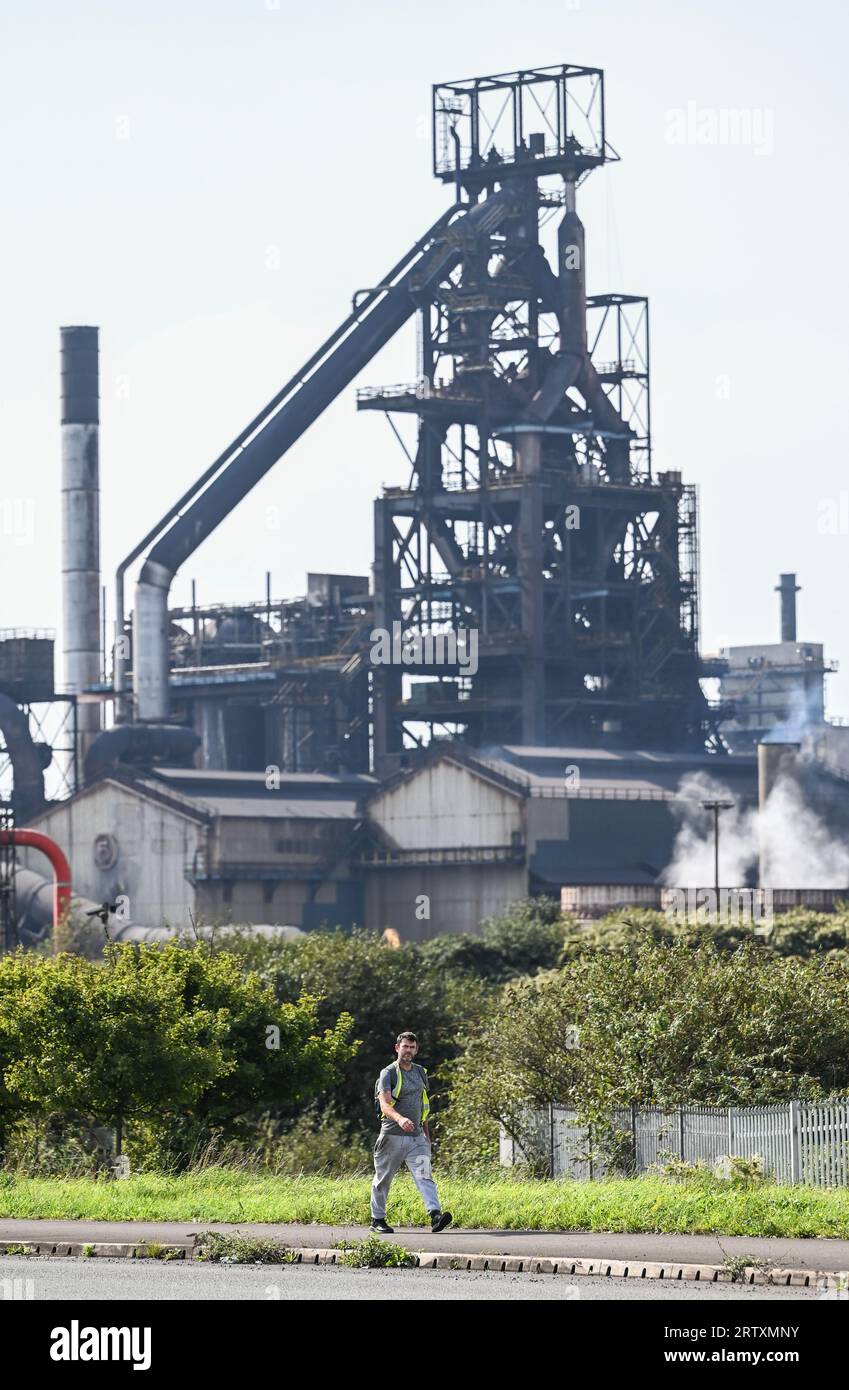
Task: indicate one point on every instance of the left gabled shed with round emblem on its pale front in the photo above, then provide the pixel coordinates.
(184, 844)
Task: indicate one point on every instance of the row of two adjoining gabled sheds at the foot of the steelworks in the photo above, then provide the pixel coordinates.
(437, 849)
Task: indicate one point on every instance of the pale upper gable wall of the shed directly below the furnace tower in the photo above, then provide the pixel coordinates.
(448, 807)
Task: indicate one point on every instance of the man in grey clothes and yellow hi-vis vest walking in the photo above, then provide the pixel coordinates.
(402, 1093)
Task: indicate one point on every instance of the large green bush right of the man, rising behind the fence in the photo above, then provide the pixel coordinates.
(657, 1025)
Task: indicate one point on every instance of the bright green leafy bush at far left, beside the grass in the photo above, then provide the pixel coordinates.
(176, 1040)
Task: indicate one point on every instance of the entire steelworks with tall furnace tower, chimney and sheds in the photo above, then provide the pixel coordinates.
(511, 700)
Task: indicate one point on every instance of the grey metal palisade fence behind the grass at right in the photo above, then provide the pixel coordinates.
(798, 1143)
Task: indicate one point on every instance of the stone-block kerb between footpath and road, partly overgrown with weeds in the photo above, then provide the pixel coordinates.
(572, 1267)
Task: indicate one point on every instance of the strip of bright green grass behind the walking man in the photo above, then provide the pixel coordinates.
(644, 1204)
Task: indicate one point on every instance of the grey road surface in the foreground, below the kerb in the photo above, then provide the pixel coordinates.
(79, 1281)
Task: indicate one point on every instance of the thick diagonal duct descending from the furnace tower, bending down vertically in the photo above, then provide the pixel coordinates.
(313, 390)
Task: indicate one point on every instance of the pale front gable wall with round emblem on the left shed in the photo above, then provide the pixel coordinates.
(151, 846)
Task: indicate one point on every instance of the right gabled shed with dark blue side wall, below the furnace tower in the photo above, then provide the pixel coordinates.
(476, 833)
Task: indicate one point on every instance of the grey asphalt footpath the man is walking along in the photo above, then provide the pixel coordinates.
(693, 1250)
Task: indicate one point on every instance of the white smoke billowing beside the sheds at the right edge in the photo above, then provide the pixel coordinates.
(798, 847)
